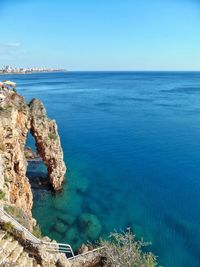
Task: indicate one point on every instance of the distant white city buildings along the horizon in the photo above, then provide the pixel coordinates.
(10, 70)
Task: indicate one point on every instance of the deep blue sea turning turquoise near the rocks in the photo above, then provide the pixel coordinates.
(131, 143)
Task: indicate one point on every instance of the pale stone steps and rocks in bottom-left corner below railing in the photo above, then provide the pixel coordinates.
(16, 250)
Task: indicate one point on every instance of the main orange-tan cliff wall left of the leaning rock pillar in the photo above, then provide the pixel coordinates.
(14, 126)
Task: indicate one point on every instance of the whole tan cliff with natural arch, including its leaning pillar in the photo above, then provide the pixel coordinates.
(16, 119)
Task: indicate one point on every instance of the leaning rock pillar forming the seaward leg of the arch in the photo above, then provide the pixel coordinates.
(48, 144)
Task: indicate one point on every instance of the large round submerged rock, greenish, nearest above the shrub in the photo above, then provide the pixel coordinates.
(90, 225)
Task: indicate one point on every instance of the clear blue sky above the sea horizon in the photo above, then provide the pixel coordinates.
(101, 34)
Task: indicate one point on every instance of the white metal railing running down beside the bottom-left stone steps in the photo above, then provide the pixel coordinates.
(49, 246)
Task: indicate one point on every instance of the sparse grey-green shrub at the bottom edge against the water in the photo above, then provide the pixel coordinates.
(122, 250)
